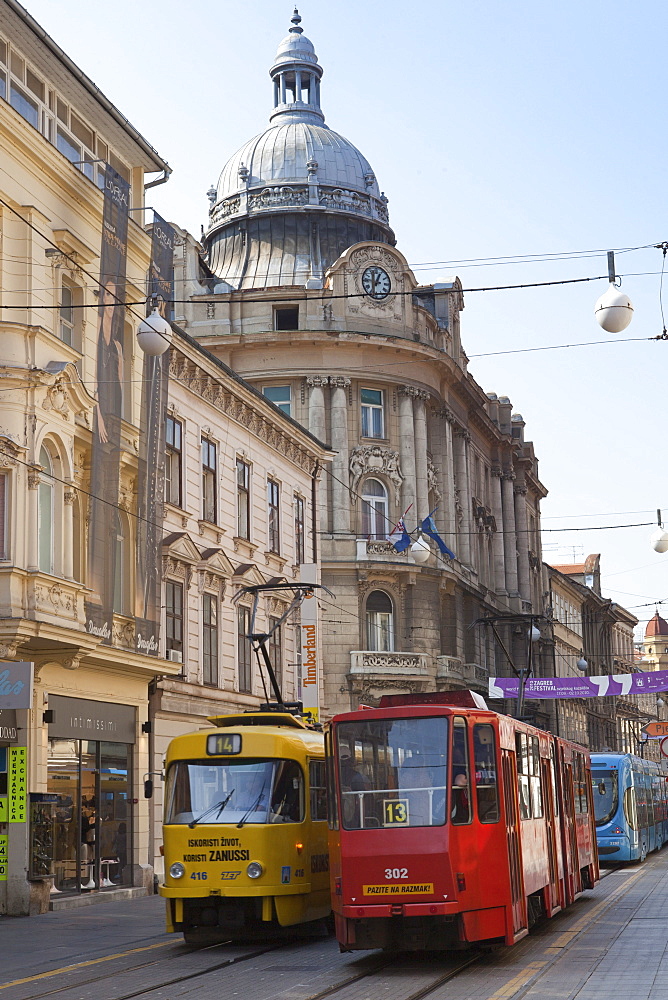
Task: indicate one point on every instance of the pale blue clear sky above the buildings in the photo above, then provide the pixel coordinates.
(496, 130)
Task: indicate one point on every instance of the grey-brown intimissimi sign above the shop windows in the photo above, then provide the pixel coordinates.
(76, 718)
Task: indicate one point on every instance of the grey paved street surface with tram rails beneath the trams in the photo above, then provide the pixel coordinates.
(612, 943)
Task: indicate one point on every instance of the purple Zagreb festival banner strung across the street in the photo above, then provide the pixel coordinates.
(580, 687)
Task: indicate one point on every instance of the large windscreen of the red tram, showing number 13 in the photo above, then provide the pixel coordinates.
(392, 772)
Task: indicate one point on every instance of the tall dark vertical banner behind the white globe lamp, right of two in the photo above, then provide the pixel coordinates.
(151, 480)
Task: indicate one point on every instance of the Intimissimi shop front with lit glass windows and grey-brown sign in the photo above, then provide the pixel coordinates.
(81, 826)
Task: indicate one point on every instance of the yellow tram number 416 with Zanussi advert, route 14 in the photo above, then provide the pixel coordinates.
(245, 831)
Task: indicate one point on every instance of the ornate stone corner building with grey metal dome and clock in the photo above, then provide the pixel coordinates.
(299, 287)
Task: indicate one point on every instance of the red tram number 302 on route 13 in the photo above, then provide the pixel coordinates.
(451, 824)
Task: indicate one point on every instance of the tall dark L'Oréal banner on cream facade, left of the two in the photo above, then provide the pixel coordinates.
(108, 530)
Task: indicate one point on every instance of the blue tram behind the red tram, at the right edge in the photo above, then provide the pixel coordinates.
(631, 806)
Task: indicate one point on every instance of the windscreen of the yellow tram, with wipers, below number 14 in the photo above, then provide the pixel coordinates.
(243, 791)
